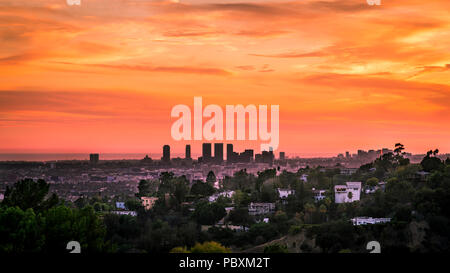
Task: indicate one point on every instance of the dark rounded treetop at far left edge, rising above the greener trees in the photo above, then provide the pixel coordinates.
(27, 194)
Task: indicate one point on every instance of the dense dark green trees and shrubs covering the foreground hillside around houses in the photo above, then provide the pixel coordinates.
(415, 196)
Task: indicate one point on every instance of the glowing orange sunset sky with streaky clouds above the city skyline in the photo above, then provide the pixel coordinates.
(104, 76)
